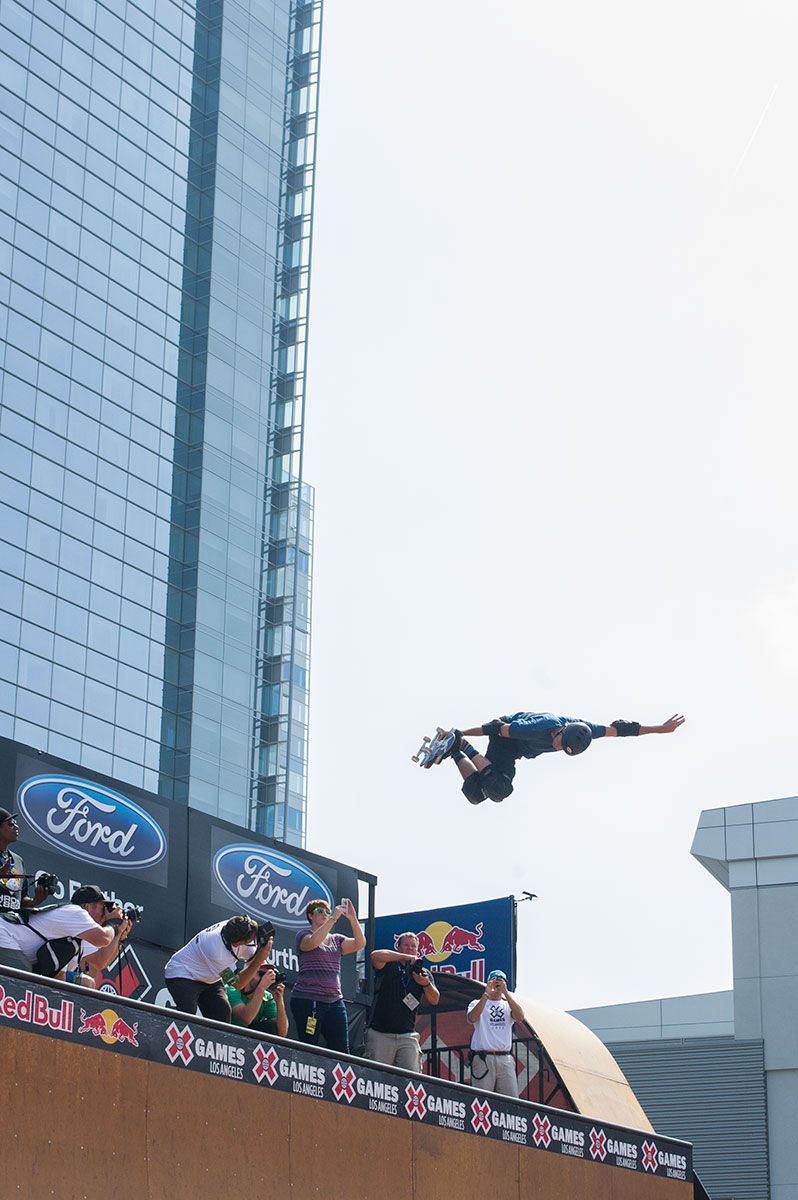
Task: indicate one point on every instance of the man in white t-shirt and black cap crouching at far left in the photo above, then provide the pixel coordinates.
(83, 920)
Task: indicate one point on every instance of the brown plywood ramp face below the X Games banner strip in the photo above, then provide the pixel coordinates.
(82, 1125)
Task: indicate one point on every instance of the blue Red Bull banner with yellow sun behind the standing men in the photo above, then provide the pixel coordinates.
(469, 940)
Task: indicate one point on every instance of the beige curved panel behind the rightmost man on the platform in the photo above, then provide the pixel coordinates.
(597, 1084)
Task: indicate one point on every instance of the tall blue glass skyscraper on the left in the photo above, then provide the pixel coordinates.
(157, 179)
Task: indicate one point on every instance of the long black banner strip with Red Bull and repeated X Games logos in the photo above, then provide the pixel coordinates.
(274, 1065)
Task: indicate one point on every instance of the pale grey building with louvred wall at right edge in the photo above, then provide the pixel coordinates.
(722, 1070)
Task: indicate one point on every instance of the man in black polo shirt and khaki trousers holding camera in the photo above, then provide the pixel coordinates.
(404, 985)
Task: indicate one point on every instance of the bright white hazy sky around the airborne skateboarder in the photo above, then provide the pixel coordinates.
(553, 430)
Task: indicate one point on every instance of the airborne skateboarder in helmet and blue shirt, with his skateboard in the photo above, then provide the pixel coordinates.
(489, 777)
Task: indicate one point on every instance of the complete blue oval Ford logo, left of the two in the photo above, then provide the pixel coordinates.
(92, 823)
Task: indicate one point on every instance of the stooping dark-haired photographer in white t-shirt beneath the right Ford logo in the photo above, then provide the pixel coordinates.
(226, 953)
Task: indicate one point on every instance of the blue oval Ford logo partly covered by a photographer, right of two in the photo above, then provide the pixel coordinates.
(269, 885)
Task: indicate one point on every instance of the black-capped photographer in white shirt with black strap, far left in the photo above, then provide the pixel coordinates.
(47, 940)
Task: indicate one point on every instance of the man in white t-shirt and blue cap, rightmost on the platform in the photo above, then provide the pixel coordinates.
(493, 1017)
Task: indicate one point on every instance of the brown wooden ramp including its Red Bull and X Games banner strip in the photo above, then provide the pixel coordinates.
(134, 1102)
